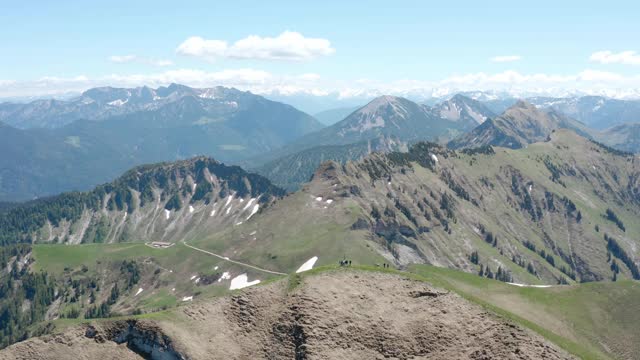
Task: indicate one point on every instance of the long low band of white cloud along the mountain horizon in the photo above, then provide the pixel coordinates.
(592, 82)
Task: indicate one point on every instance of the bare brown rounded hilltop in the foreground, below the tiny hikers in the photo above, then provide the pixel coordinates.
(335, 315)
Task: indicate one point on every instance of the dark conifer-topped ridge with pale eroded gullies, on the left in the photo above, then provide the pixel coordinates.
(149, 202)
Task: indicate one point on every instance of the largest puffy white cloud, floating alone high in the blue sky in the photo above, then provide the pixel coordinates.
(289, 45)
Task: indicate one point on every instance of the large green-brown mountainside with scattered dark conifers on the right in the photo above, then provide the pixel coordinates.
(556, 211)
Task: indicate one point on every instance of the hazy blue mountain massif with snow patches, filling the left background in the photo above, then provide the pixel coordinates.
(128, 127)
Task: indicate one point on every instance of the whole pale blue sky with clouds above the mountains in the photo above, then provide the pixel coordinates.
(57, 46)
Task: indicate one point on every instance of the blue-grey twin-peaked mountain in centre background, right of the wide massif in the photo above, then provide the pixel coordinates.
(387, 123)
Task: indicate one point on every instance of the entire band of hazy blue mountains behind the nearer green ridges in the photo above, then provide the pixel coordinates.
(88, 139)
